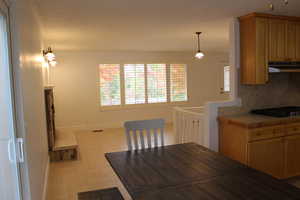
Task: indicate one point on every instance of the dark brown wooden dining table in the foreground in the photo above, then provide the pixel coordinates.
(193, 172)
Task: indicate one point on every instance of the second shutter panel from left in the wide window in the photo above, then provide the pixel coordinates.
(134, 77)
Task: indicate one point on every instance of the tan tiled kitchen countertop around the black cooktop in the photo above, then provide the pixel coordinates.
(256, 121)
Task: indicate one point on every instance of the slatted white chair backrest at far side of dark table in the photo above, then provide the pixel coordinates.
(144, 129)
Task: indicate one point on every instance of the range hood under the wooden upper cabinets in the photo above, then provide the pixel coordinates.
(277, 67)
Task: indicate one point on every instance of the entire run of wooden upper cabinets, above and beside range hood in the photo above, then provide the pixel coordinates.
(266, 38)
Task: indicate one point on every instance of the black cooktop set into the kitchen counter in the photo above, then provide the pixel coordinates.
(289, 111)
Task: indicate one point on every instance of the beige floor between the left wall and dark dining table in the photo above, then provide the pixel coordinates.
(91, 171)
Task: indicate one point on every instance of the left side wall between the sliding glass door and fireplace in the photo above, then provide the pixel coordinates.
(27, 45)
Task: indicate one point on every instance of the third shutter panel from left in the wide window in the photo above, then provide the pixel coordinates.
(156, 83)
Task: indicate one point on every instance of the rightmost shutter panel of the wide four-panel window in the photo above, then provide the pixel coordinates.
(178, 82)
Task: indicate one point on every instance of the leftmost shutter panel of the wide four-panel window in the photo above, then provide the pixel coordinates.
(110, 86)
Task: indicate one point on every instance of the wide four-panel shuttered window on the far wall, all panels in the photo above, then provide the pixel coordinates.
(132, 84)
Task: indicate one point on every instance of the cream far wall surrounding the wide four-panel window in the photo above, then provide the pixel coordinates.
(77, 95)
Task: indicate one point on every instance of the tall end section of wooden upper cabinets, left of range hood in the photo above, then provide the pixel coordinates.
(254, 49)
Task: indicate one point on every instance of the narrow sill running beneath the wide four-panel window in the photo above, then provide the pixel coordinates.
(141, 106)
